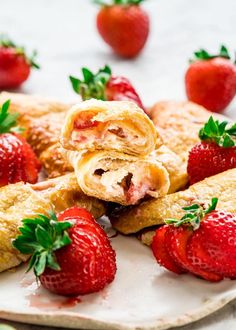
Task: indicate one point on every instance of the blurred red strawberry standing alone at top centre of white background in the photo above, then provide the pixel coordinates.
(124, 26)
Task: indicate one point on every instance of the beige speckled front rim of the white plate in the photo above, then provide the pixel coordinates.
(70, 320)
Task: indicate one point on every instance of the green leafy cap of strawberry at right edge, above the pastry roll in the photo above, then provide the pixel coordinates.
(221, 133)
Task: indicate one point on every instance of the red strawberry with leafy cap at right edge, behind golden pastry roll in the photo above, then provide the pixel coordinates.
(216, 153)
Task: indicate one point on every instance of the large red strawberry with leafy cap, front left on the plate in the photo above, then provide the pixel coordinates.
(72, 254)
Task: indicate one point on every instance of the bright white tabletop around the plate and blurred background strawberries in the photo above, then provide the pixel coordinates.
(64, 33)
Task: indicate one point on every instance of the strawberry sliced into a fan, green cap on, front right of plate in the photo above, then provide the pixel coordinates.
(202, 242)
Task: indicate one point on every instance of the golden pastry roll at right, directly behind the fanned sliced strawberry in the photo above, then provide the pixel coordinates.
(154, 212)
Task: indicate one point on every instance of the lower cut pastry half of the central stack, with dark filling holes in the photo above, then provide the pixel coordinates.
(117, 177)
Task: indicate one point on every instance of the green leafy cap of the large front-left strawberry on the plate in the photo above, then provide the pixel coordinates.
(41, 237)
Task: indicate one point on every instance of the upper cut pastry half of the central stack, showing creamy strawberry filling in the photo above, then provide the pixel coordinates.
(120, 126)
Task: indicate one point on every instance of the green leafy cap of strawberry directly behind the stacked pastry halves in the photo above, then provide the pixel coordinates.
(93, 85)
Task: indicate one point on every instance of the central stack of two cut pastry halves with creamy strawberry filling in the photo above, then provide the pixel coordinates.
(111, 146)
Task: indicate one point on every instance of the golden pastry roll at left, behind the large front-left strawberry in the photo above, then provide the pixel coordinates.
(18, 201)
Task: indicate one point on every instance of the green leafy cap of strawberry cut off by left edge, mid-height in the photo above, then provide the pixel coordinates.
(8, 121)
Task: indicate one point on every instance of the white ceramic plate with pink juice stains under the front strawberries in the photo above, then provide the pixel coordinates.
(143, 296)
